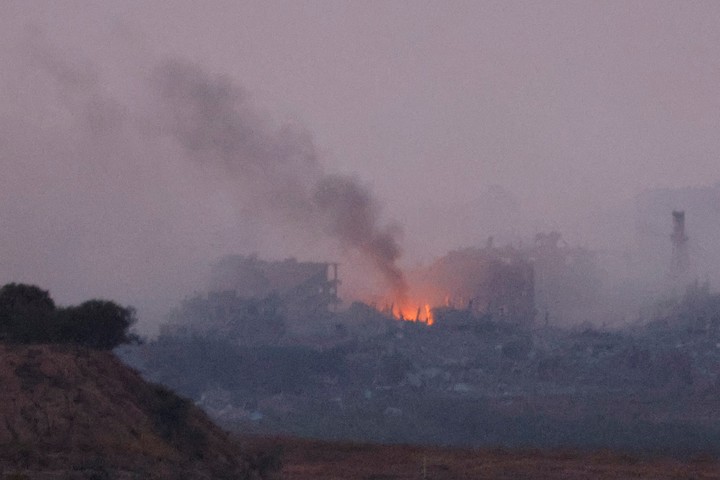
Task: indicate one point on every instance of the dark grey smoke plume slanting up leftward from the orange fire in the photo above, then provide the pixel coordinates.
(214, 121)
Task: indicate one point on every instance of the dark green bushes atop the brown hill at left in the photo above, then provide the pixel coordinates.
(29, 315)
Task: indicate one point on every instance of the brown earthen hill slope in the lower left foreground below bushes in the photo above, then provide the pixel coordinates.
(71, 412)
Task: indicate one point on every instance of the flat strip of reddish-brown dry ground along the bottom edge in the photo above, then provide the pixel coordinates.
(318, 460)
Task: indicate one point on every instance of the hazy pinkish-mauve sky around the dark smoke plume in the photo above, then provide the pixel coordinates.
(459, 117)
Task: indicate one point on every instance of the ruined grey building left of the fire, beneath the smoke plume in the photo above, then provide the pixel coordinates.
(253, 301)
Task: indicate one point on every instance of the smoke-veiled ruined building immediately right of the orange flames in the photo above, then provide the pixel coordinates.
(548, 282)
